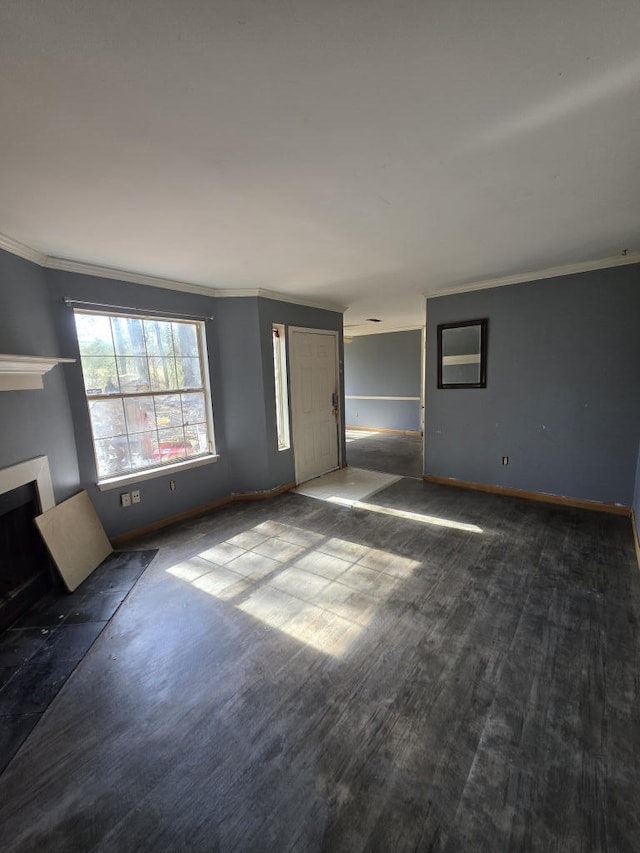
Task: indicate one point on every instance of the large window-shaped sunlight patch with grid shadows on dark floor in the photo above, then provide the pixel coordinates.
(318, 589)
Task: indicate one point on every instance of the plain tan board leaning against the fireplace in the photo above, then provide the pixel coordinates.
(75, 538)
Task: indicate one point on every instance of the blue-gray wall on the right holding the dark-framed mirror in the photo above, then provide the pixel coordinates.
(562, 397)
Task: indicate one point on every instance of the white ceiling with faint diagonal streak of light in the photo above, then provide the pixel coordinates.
(364, 153)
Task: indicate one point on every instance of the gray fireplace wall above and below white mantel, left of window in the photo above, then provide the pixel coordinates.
(35, 423)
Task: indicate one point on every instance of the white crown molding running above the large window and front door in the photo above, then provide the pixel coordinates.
(68, 265)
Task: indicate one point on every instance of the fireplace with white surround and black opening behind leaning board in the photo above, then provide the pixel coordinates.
(25, 572)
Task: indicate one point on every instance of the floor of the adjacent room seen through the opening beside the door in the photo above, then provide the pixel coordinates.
(392, 453)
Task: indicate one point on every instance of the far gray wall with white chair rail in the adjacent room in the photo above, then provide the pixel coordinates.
(384, 365)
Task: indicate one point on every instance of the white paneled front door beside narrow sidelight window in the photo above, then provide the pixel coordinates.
(313, 366)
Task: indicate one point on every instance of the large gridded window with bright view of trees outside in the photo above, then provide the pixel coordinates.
(146, 381)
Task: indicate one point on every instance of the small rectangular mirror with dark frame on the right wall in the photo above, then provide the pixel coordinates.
(462, 354)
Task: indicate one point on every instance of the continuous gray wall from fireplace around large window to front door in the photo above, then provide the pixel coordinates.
(35, 321)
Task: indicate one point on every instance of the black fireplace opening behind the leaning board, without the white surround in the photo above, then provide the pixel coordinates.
(26, 573)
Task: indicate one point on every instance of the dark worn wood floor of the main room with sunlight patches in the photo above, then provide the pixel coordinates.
(294, 675)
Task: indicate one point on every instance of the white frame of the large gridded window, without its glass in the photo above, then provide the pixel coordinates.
(151, 472)
